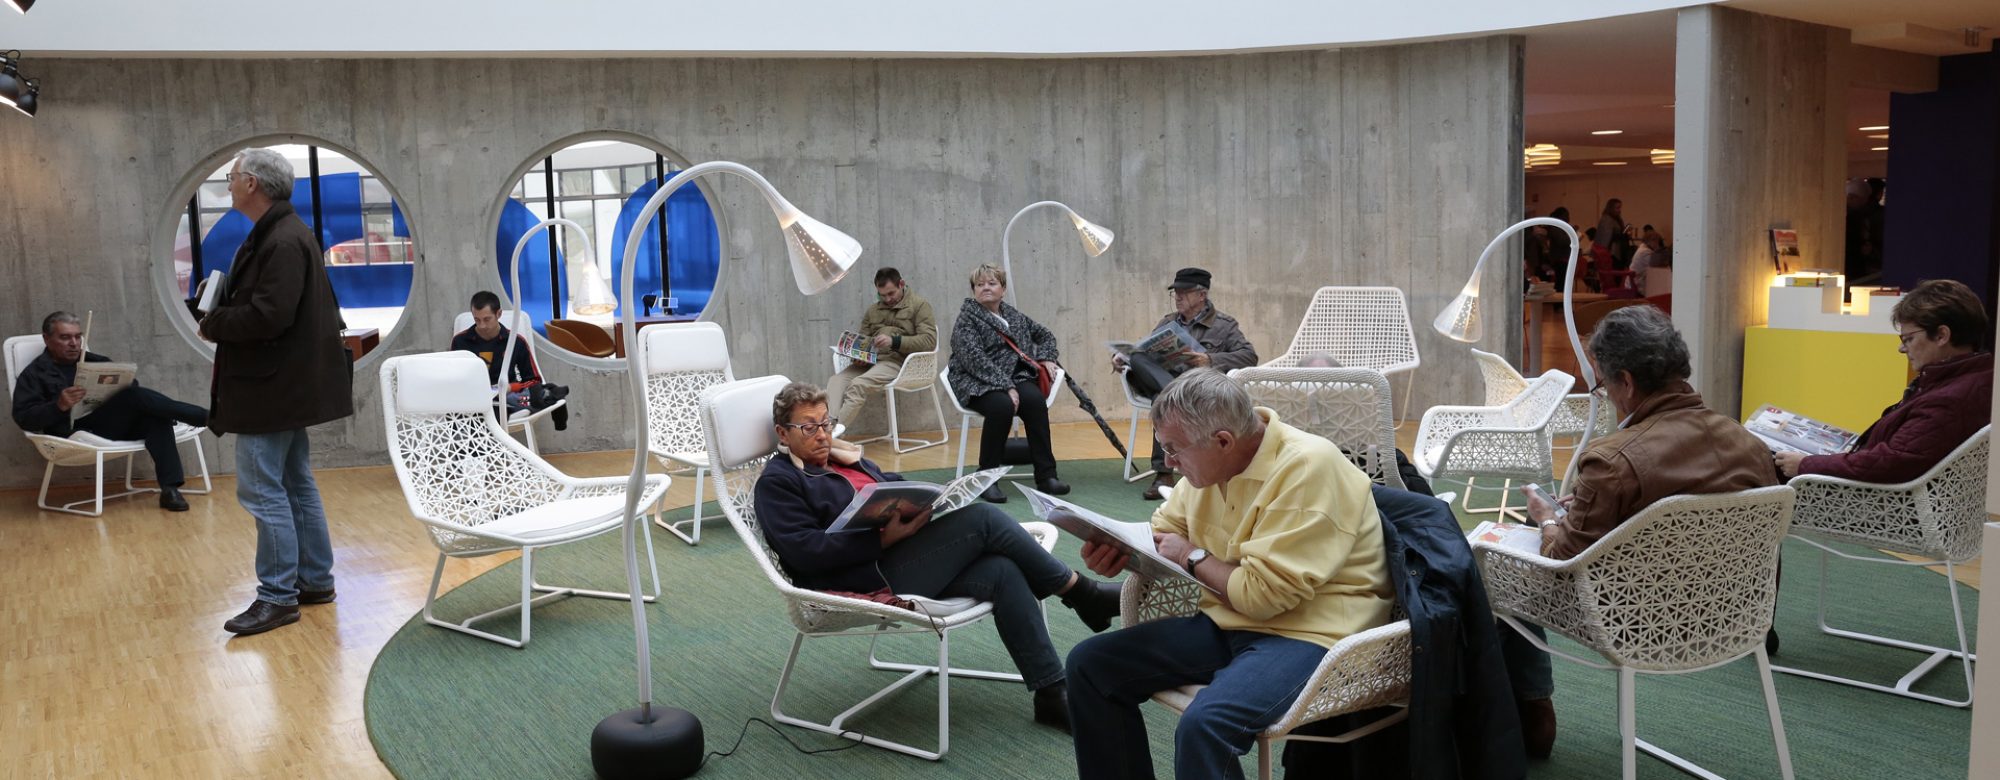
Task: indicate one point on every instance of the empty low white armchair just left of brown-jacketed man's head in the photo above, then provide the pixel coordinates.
(1503, 443)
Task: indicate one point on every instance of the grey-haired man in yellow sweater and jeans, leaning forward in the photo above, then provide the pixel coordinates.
(1285, 533)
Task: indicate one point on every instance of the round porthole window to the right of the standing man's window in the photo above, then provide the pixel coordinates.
(601, 183)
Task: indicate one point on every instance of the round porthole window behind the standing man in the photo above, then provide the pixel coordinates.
(371, 253)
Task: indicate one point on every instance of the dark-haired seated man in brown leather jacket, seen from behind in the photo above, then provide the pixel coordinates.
(1669, 443)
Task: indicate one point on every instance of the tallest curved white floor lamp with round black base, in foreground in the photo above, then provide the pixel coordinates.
(669, 741)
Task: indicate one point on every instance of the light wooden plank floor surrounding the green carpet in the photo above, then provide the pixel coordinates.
(113, 655)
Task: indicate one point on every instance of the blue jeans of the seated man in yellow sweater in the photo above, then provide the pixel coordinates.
(1251, 681)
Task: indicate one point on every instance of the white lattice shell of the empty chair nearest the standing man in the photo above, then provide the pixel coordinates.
(453, 459)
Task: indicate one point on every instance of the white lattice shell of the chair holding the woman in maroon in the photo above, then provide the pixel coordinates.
(1937, 515)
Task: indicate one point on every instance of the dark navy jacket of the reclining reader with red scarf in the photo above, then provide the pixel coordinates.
(795, 507)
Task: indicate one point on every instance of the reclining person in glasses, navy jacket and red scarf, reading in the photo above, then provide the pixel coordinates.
(975, 551)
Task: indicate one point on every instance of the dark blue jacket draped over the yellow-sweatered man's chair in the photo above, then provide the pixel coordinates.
(1463, 719)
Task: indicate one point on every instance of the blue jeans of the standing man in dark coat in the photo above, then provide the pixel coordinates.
(275, 485)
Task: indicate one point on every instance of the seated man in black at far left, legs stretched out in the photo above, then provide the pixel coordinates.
(49, 401)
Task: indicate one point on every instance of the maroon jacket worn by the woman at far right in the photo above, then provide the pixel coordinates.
(1943, 409)
